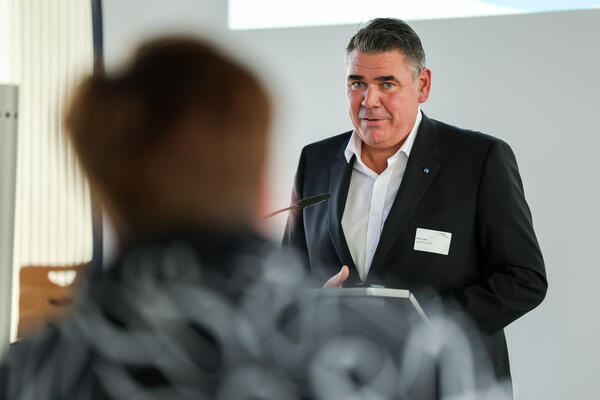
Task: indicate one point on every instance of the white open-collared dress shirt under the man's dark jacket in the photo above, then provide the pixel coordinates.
(370, 198)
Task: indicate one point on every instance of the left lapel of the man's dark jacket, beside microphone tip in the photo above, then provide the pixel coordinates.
(339, 182)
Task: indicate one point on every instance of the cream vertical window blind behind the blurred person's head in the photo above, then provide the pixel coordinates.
(48, 49)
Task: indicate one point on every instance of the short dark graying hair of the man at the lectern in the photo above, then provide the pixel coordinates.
(385, 34)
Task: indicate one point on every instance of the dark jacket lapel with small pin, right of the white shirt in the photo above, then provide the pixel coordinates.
(420, 171)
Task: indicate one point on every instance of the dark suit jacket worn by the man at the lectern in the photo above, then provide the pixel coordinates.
(458, 181)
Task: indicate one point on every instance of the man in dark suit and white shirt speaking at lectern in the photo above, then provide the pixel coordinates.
(416, 203)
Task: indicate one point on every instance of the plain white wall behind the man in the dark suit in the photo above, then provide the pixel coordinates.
(531, 79)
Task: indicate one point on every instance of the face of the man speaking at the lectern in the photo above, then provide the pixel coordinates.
(383, 97)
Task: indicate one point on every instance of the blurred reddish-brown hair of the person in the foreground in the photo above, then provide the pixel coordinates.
(179, 136)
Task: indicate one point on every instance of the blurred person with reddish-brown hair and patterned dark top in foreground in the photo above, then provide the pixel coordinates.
(197, 305)
